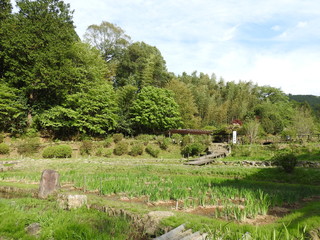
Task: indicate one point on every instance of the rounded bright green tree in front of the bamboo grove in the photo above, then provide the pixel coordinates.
(155, 110)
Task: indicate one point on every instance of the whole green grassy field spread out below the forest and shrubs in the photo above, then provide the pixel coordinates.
(228, 202)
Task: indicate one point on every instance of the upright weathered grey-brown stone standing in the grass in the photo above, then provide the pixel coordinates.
(49, 183)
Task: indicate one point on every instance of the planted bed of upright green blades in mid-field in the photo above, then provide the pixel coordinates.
(232, 199)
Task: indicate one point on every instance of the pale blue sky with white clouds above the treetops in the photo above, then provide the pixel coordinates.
(268, 42)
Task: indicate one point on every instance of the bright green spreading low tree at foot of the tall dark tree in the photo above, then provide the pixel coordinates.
(93, 113)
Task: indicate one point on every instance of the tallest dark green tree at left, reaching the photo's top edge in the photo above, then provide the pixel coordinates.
(36, 47)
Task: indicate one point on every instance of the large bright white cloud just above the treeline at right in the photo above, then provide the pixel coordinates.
(296, 72)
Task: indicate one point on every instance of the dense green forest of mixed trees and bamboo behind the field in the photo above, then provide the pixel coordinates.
(53, 82)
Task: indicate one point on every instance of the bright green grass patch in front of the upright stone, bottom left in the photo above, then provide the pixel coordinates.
(17, 214)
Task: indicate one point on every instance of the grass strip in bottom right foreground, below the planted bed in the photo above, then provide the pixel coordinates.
(292, 227)
